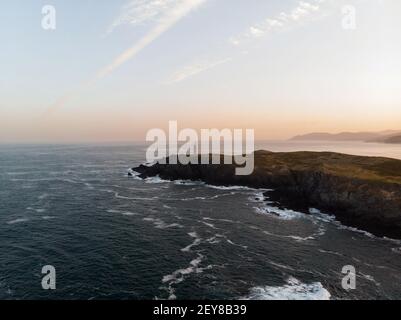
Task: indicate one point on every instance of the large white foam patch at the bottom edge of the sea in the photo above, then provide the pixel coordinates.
(292, 290)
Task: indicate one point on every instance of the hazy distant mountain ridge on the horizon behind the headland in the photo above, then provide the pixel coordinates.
(387, 136)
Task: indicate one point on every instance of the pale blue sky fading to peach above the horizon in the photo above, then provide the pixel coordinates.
(112, 70)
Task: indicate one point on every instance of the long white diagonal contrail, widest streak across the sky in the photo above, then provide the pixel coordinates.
(165, 23)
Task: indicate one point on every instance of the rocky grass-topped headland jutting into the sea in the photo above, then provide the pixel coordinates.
(363, 192)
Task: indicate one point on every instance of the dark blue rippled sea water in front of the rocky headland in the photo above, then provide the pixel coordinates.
(114, 237)
